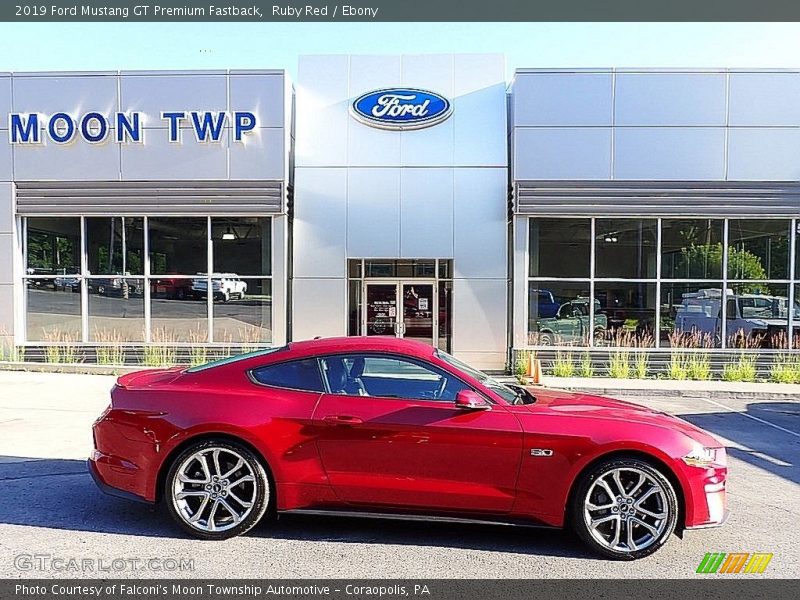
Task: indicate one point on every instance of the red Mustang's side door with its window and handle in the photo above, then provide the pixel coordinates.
(389, 434)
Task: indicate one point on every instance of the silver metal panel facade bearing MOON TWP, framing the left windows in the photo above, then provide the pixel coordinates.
(154, 175)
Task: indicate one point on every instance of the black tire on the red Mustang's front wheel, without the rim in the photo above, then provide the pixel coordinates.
(581, 527)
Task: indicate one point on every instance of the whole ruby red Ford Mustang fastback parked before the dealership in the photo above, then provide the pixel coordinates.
(381, 425)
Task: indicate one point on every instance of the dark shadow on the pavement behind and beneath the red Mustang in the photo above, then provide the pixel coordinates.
(60, 494)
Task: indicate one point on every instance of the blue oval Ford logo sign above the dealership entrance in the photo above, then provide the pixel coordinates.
(401, 108)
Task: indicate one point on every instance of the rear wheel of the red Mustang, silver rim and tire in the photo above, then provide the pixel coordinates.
(217, 489)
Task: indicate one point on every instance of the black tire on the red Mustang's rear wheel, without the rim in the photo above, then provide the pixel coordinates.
(262, 489)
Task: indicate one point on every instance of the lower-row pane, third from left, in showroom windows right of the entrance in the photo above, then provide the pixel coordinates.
(690, 315)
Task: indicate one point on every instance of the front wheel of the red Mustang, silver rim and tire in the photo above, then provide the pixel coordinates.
(624, 508)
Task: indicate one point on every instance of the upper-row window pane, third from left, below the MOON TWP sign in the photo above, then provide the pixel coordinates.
(178, 246)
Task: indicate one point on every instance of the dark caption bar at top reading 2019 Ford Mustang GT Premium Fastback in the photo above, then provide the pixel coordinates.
(399, 10)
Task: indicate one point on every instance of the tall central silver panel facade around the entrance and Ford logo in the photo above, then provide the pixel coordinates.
(398, 194)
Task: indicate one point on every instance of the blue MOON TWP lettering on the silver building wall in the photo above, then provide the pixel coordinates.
(96, 128)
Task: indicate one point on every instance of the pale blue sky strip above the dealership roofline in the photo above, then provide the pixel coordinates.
(84, 46)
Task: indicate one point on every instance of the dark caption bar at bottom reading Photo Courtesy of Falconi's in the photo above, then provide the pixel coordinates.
(708, 588)
